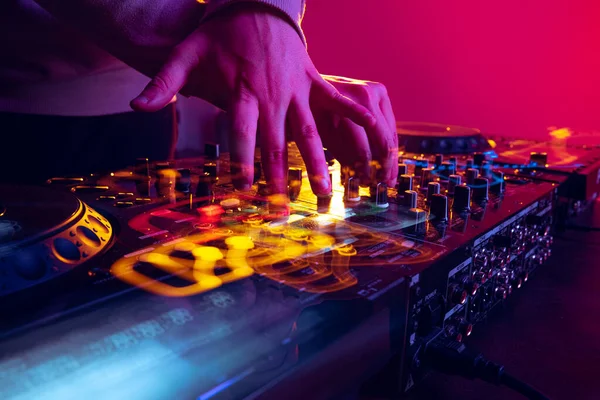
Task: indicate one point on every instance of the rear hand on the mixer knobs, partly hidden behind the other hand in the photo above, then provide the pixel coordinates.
(356, 146)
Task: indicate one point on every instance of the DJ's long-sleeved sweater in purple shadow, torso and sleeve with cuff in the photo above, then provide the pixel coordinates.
(68, 57)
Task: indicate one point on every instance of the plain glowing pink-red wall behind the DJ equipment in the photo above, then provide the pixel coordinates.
(513, 67)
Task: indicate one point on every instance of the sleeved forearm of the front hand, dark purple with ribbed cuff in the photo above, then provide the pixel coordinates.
(142, 33)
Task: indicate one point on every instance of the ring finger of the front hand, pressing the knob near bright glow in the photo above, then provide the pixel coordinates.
(305, 134)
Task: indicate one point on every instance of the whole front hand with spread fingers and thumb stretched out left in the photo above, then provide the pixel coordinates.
(252, 63)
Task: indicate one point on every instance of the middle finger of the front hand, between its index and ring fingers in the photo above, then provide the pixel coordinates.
(273, 150)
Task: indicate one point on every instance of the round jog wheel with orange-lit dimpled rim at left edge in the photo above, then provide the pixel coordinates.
(45, 233)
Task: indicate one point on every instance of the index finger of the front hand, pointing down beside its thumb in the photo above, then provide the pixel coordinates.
(243, 116)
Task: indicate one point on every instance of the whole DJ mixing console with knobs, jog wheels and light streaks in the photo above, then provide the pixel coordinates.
(162, 281)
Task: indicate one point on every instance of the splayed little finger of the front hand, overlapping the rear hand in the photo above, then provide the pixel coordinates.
(342, 105)
